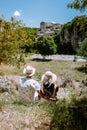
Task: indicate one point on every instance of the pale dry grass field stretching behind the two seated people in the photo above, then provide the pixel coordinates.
(60, 68)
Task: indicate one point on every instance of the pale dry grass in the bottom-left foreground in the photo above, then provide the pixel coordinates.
(30, 118)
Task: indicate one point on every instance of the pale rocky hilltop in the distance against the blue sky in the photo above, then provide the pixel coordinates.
(48, 28)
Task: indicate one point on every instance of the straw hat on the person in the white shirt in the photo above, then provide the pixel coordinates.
(29, 70)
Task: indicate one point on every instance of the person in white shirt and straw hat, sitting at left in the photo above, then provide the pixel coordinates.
(28, 87)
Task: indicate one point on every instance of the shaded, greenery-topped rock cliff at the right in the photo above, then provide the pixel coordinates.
(74, 32)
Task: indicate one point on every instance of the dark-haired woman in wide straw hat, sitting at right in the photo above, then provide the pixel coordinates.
(49, 84)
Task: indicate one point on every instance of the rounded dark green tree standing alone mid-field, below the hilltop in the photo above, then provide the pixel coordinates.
(45, 46)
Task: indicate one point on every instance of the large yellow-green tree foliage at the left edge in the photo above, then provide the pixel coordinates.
(14, 39)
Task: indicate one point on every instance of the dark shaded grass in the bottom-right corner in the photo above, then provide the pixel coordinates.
(70, 117)
